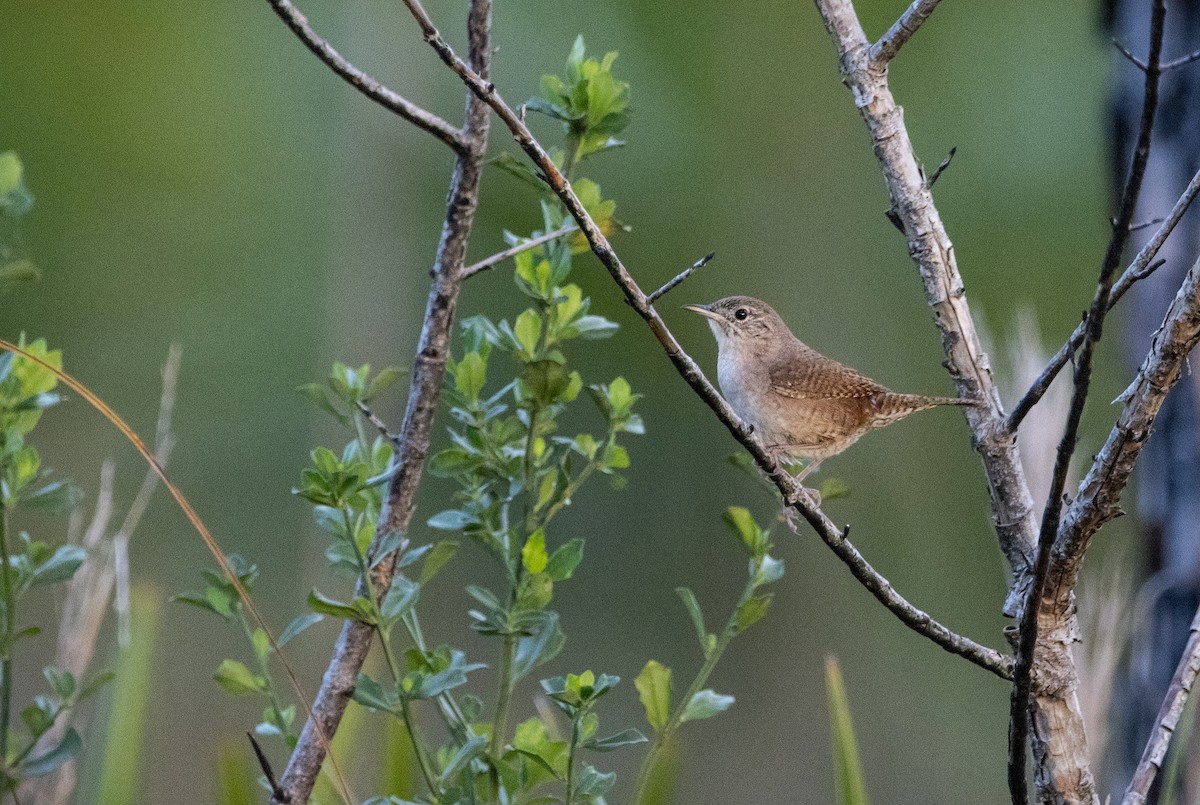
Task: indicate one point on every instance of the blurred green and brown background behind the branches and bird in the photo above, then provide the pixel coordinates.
(202, 178)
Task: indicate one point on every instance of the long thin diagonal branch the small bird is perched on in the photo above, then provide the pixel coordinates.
(689, 370)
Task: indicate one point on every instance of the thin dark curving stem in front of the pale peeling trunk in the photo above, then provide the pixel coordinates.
(1019, 716)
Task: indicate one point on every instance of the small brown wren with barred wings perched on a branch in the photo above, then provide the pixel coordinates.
(802, 405)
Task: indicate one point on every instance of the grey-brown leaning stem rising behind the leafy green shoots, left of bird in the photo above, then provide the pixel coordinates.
(429, 373)
